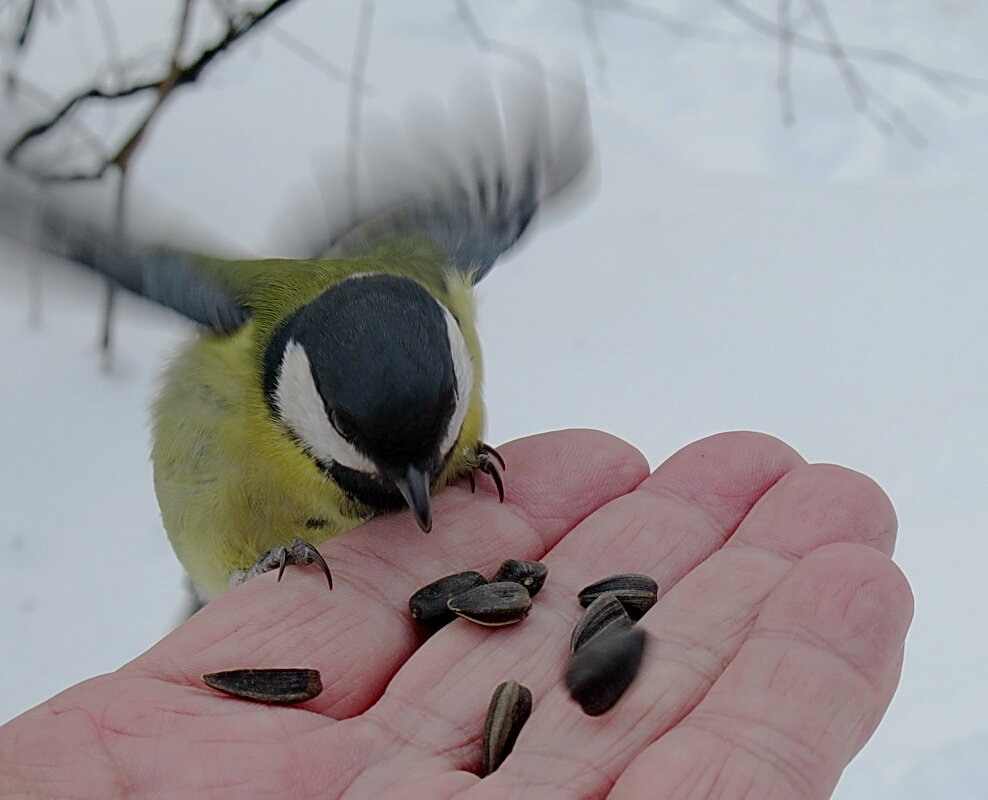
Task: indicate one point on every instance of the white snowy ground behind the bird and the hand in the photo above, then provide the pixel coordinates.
(822, 282)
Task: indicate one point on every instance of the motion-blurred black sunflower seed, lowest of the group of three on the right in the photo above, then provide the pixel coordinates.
(602, 671)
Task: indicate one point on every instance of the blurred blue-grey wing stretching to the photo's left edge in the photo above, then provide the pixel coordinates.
(191, 285)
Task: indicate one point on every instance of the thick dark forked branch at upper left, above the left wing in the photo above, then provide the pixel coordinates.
(239, 22)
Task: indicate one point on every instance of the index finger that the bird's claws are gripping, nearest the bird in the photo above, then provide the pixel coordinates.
(358, 634)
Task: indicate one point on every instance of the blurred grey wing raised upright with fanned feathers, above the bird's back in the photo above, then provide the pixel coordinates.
(470, 180)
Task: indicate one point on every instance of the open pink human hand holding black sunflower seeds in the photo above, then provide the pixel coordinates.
(775, 647)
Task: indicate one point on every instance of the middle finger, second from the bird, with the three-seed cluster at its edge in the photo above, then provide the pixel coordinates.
(685, 510)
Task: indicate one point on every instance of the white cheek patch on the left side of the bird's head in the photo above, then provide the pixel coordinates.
(301, 407)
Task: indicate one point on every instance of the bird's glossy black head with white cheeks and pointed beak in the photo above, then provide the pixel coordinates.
(373, 379)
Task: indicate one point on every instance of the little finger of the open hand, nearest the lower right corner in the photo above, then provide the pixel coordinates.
(804, 693)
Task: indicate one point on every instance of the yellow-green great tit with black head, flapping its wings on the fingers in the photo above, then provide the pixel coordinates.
(320, 391)
